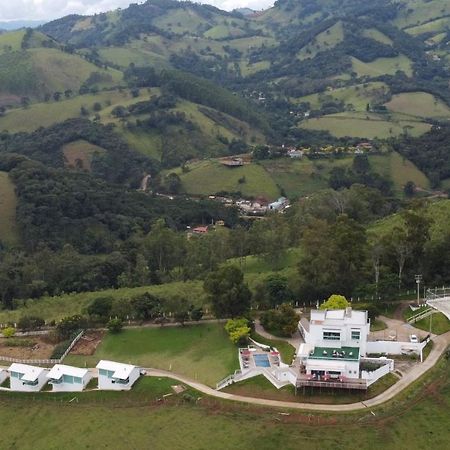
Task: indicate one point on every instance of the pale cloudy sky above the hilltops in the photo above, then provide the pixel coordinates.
(52, 9)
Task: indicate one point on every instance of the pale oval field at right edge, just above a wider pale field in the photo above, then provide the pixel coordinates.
(419, 104)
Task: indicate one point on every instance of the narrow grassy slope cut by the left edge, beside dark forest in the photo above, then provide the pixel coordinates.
(8, 203)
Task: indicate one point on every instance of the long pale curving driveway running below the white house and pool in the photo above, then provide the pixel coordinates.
(440, 344)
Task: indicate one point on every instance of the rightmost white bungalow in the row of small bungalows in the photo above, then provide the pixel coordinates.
(116, 376)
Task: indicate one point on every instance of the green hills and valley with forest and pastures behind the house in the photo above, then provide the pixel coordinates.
(116, 128)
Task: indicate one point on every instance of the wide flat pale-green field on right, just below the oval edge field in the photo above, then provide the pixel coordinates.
(357, 125)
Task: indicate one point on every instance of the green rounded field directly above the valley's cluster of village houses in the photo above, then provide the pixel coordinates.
(210, 177)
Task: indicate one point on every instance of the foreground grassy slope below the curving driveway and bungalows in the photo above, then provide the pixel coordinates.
(104, 419)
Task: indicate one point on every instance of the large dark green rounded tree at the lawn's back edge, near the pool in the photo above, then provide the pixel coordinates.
(227, 293)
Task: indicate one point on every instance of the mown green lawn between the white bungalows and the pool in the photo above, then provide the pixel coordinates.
(202, 352)
